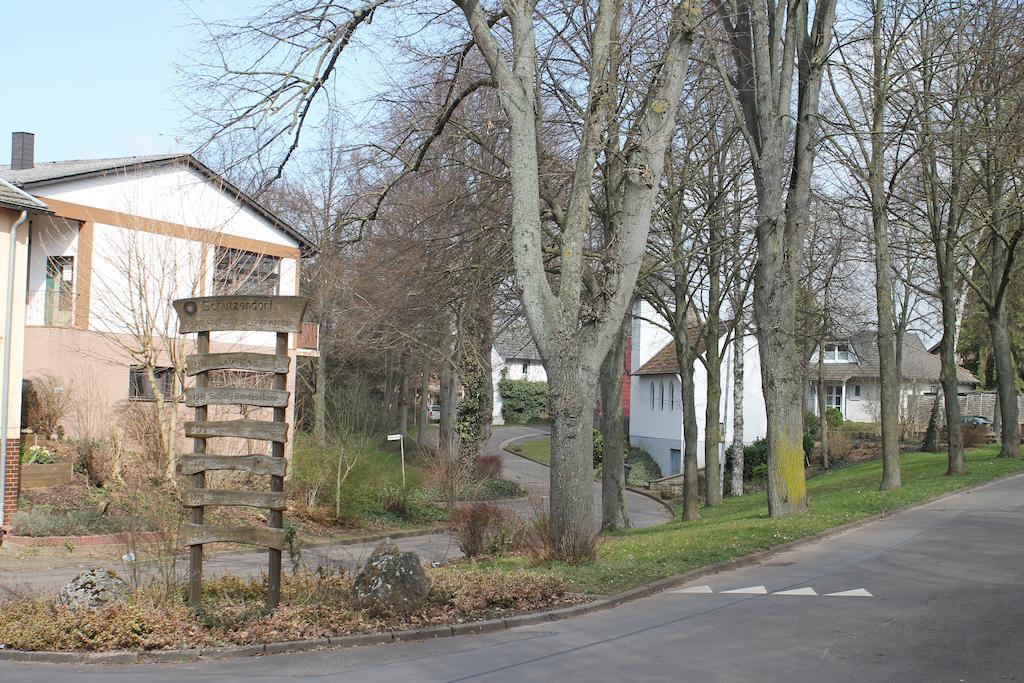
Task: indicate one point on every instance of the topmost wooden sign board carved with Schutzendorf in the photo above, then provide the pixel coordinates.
(242, 314)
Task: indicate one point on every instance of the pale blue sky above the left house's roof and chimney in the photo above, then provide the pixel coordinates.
(98, 78)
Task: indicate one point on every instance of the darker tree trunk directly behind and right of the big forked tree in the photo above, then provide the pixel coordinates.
(615, 515)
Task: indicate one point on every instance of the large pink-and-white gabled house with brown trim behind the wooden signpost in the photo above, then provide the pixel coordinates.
(125, 238)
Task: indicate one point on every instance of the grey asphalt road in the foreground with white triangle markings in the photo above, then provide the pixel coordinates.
(946, 604)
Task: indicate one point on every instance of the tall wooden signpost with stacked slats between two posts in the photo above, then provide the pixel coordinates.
(282, 315)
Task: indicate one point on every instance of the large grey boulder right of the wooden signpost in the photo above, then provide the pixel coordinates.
(392, 581)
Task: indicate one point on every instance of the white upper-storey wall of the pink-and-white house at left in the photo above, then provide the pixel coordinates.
(176, 267)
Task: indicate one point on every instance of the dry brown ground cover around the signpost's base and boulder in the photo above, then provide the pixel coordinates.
(314, 605)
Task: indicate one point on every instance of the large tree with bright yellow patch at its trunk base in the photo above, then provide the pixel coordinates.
(774, 45)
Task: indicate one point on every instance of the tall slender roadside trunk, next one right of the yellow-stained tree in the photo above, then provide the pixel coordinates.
(889, 372)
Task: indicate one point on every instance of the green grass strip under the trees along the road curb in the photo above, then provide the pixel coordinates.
(741, 526)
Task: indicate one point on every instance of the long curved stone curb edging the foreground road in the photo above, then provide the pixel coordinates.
(468, 628)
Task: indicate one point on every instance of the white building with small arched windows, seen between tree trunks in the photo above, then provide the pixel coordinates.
(656, 394)
